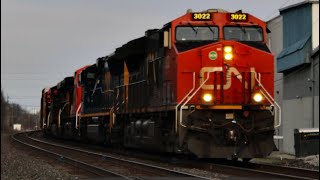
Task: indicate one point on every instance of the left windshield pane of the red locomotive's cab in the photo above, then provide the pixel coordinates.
(197, 33)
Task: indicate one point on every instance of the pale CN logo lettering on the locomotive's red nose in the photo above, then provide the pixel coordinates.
(230, 72)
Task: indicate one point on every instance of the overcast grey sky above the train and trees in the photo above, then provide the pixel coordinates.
(43, 41)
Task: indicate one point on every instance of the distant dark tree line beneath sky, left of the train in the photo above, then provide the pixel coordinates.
(12, 113)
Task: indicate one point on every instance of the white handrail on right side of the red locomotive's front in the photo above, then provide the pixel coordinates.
(269, 98)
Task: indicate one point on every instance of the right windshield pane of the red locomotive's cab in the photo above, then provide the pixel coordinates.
(243, 33)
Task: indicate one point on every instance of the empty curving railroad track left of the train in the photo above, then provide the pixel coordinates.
(100, 164)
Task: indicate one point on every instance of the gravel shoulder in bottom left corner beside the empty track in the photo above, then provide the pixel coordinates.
(18, 163)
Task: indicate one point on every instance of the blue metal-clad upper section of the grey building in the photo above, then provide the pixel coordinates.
(297, 29)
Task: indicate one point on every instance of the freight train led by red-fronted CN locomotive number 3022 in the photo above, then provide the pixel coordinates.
(202, 84)
